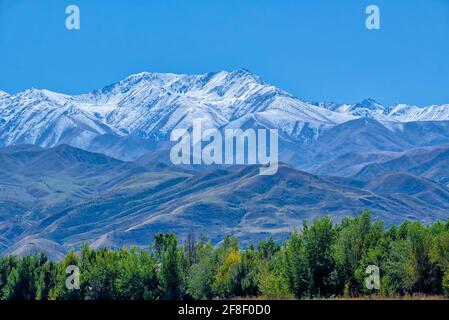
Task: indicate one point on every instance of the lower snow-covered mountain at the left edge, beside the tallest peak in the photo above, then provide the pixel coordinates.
(44, 118)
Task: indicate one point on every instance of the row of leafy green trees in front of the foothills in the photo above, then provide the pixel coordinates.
(320, 260)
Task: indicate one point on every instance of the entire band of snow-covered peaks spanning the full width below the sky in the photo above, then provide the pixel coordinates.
(136, 115)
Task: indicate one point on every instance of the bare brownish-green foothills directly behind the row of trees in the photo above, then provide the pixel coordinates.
(108, 202)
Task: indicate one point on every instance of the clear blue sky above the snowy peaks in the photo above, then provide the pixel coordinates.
(317, 50)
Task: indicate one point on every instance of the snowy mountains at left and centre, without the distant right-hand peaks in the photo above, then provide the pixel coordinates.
(150, 105)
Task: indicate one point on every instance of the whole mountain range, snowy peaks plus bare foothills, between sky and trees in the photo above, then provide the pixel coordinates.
(95, 167)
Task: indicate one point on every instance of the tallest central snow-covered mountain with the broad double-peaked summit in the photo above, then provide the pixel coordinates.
(151, 105)
